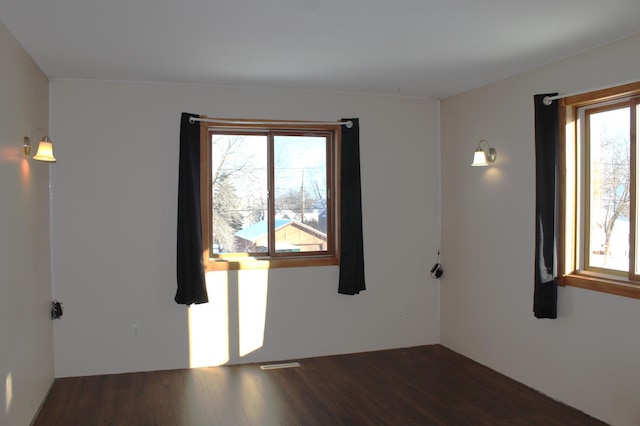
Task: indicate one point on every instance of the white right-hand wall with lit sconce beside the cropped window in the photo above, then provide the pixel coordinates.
(589, 356)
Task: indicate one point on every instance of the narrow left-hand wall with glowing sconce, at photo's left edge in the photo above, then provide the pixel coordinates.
(26, 347)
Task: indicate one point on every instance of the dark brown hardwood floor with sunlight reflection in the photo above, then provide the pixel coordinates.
(427, 385)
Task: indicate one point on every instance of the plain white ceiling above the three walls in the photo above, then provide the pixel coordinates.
(426, 48)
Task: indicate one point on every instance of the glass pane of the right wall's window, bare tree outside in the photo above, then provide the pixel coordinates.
(609, 189)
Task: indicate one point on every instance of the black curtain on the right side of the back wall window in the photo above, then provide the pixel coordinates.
(352, 248)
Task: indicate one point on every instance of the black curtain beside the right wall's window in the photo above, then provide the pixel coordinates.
(545, 299)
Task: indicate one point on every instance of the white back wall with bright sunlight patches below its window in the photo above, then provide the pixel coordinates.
(114, 220)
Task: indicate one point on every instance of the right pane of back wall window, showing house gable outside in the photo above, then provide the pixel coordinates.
(300, 171)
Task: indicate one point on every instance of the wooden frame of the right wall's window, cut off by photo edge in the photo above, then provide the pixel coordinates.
(569, 228)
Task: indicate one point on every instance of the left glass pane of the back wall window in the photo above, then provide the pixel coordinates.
(239, 185)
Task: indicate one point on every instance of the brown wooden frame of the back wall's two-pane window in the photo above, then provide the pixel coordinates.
(246, 261)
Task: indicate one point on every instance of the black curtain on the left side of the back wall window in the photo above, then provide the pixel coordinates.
(191, 279)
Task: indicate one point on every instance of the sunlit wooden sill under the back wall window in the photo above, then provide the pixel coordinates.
(254, 263)
